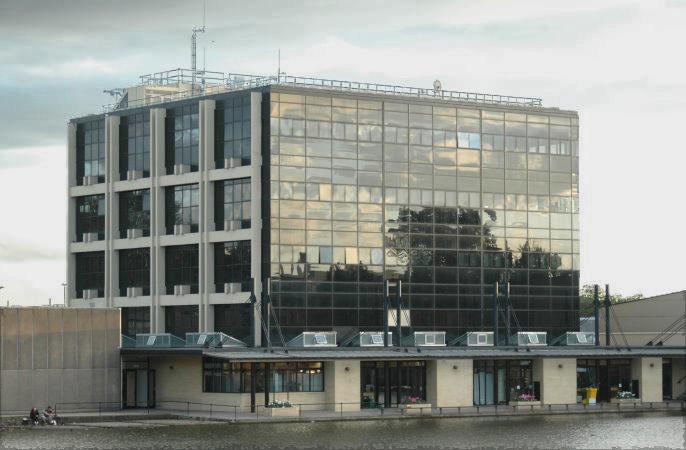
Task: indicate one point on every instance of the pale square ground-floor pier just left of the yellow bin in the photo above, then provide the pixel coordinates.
(558, 380)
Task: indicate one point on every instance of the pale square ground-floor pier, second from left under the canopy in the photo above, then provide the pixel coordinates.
(449, 382)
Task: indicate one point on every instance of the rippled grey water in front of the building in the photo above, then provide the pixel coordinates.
(630, 430)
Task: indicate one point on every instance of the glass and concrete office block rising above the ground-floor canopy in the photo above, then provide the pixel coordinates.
(328, 190)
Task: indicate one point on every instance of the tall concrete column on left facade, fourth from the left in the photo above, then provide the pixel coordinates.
(206, 157)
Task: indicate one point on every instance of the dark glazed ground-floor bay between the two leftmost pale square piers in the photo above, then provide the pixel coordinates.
(406, 382)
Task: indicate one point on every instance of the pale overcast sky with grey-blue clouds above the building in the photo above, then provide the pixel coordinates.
(619, 63)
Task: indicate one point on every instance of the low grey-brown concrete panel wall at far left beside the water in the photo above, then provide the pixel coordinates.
(52, 340)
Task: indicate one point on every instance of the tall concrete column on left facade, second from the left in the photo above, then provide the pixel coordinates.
(112, 207)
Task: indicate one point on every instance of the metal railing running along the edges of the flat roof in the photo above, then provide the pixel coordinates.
(220, 83)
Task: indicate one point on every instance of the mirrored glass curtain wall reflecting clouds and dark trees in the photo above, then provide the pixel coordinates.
(446, 199)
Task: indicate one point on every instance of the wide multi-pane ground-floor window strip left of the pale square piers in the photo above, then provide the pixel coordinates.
(227, 377)
